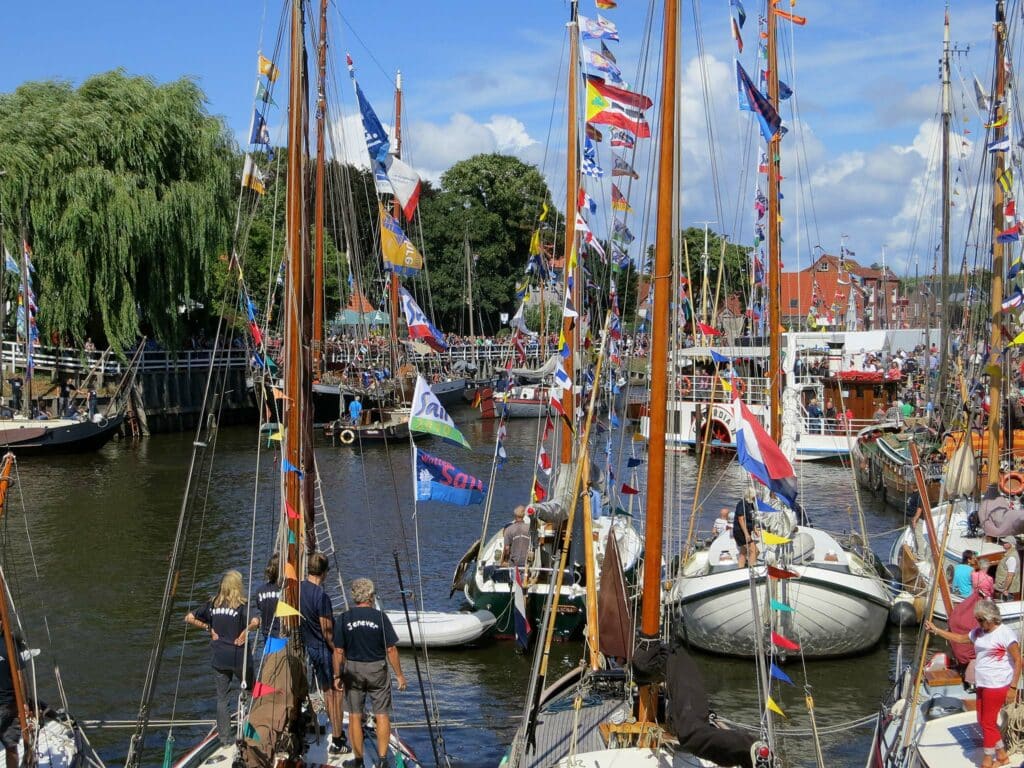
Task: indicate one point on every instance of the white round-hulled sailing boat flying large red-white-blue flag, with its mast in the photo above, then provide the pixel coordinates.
(828, 598)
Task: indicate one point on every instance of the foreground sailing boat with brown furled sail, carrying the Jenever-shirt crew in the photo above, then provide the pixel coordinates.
(280, 728)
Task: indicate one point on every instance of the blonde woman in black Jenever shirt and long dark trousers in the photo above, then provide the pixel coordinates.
(225, 617)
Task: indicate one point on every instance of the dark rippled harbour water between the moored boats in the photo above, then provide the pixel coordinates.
(102, 528)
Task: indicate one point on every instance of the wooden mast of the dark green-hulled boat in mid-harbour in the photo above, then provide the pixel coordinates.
(572, 185)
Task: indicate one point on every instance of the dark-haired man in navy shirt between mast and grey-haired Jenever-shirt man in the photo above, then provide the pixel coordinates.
(318, 635)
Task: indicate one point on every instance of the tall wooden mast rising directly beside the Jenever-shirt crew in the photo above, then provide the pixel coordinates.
(296, 330)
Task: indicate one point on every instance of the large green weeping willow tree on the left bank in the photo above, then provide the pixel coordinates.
(124, 189)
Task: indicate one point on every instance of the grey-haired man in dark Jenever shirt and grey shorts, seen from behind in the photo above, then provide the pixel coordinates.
(368, 643)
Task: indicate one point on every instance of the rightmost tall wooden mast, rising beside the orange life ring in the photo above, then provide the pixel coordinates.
(999, 166)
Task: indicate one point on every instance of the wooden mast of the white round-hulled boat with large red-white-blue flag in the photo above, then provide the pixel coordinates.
(775, 247)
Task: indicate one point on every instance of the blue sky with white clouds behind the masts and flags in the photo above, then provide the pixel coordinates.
(859, 161)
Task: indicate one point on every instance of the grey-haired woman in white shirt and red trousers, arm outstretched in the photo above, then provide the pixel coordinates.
(998, 669)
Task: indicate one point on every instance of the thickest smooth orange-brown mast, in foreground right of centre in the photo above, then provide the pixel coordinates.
(665, 238)
